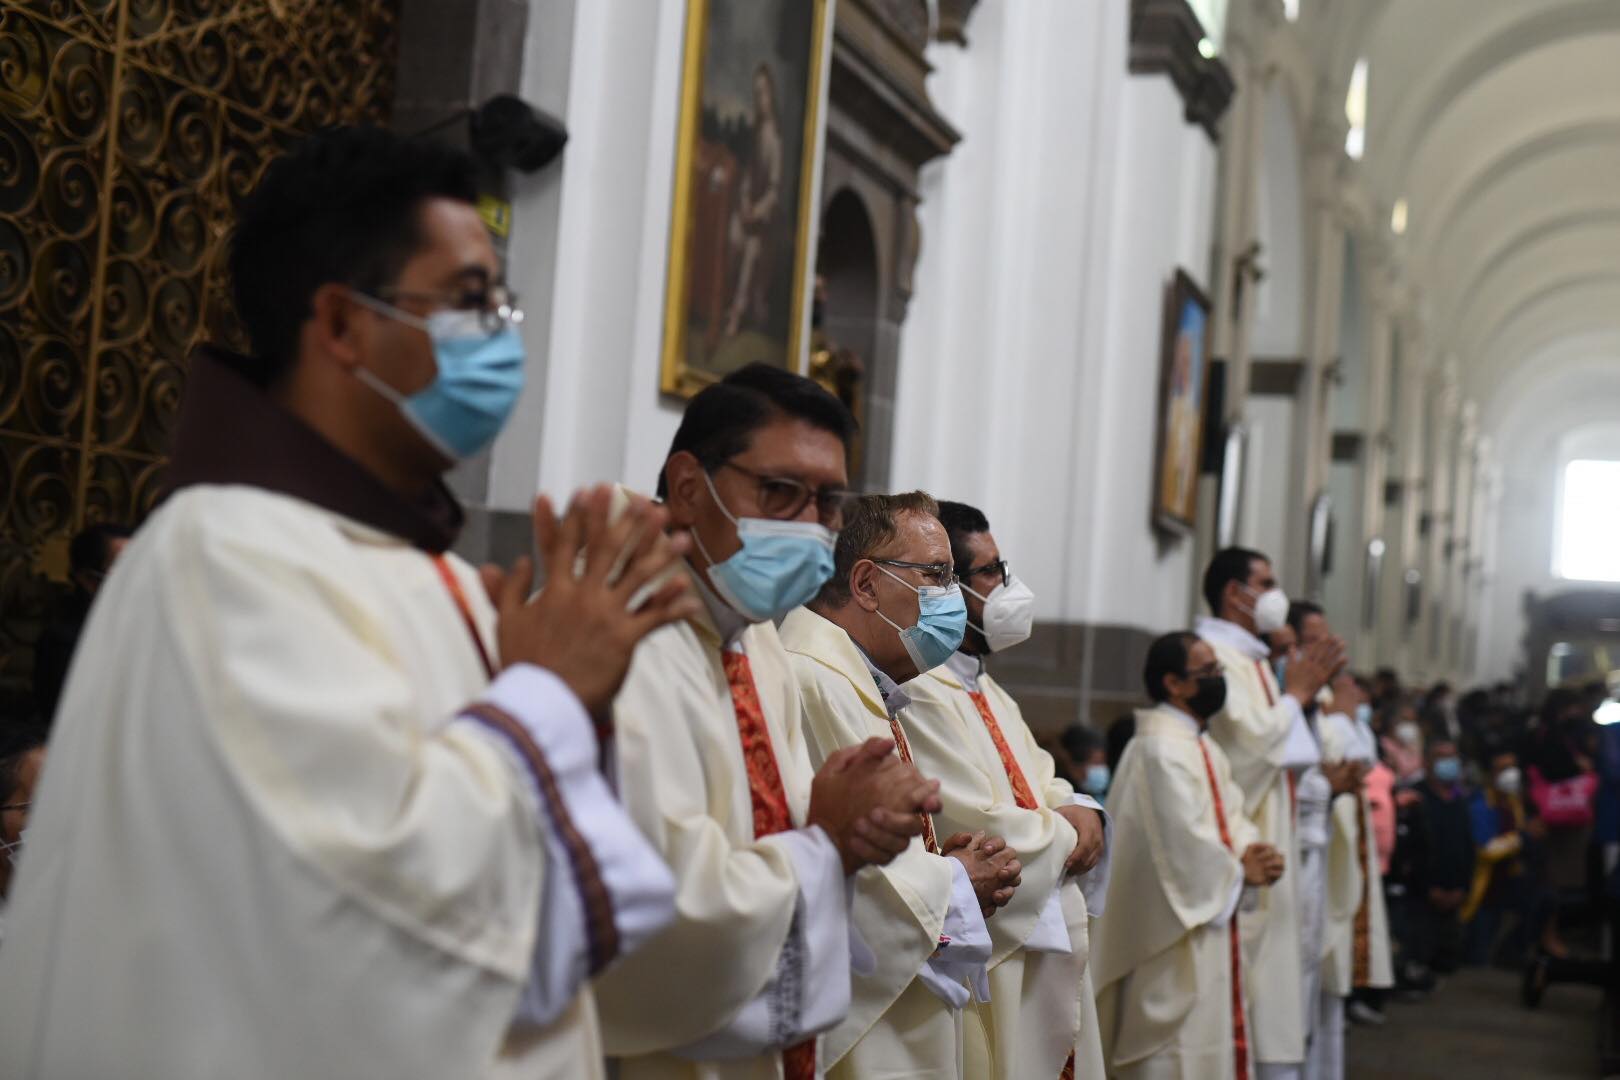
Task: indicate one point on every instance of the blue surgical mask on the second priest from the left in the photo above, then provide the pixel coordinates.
(782, 564)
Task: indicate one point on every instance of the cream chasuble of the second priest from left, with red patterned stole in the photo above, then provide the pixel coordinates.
(759, 956)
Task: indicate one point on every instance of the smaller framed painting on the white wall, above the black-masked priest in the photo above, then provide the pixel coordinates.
(1183, 383)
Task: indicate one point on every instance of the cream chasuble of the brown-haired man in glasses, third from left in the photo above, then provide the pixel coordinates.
(898, 1026)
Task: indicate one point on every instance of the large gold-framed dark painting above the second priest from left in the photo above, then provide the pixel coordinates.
(740, 242)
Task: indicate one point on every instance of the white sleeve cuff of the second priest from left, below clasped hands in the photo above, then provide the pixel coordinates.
(809, 990)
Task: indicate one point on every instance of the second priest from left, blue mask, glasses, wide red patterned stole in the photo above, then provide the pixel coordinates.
(715, 768)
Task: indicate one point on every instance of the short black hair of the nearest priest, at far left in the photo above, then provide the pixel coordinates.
(341, 206)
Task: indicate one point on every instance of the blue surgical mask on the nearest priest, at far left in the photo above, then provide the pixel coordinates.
(477, 386)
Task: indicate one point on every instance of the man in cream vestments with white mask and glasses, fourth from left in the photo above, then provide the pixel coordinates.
(970, 734)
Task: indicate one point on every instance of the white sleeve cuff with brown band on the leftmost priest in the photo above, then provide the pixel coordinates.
(605, 891)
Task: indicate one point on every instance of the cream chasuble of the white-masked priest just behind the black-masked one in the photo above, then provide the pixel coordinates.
(1264, 738)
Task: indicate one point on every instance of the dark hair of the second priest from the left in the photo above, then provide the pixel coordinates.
(722, 420)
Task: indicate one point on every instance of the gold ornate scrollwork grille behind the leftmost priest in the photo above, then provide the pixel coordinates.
(129, 130)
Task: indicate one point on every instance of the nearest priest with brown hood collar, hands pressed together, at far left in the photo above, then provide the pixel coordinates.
(313, 806)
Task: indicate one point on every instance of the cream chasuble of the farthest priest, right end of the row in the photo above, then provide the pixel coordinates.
(1357, 940)
